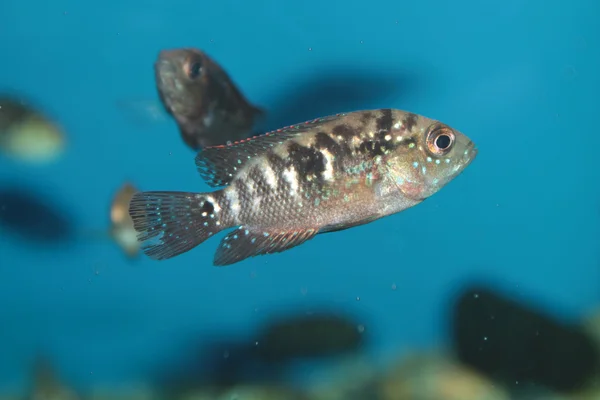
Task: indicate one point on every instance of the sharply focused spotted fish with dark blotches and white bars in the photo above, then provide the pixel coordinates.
(280, 189)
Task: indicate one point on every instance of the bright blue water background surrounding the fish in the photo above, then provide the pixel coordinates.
(519, 78)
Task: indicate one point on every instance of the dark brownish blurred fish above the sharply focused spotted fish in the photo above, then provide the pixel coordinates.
(203, 99)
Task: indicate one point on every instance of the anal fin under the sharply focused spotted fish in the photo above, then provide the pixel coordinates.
(245, 242)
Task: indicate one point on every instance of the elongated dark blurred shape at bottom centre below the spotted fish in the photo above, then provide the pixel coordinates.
(264, 358)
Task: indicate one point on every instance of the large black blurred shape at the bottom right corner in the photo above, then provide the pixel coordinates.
(518, 346)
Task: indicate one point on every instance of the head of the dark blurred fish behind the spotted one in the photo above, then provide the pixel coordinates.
(183, 80)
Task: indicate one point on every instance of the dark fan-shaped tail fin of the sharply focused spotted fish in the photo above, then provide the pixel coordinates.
(171, 223)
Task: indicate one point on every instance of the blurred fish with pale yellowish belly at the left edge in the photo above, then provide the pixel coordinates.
(26, 134)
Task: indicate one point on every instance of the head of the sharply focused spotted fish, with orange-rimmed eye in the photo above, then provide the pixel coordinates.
(427, 155)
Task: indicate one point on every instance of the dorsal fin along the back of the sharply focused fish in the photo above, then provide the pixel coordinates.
(218, 164)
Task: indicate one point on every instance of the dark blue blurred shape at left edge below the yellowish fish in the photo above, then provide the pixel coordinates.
(32, 215)
